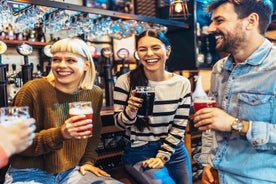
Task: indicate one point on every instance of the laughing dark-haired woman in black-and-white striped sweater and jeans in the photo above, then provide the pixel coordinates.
(154, 151)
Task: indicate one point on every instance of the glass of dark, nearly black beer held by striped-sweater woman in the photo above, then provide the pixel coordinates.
(147, 94)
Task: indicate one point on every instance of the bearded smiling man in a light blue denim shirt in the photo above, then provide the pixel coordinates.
(242, 145)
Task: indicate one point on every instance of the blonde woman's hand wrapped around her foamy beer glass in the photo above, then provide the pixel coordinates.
(76, 126)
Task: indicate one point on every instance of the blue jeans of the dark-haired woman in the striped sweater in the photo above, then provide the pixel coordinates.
(176, 171)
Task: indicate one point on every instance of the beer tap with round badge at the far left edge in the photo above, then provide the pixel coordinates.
(3, 77)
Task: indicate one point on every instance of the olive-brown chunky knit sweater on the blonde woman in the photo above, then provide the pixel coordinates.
(49, 107)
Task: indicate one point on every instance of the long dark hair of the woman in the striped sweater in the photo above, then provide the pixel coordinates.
(137, 76)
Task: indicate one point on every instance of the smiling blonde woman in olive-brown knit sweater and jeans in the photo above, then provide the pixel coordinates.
(56, 155)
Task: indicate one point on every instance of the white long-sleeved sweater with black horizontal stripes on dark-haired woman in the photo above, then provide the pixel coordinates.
(170, 113)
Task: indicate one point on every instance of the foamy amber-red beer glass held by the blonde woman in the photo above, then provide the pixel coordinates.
(82, 108)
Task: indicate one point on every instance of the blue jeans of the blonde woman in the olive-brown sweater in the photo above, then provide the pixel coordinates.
(71, 176)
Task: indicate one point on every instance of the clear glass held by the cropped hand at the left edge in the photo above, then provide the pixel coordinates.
(11, 115)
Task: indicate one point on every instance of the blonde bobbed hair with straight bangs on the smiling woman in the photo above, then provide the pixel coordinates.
(76, 46)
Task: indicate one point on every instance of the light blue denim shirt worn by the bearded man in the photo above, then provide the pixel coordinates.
(246, 91)
